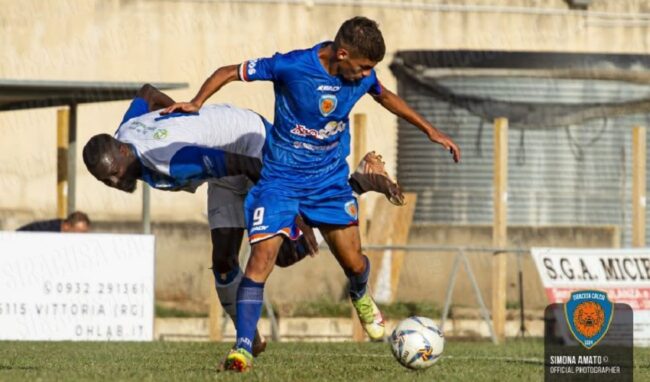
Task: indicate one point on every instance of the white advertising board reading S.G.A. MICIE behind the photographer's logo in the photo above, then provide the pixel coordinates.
(624, 274)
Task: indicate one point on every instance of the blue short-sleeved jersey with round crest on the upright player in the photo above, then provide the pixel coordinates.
(310, 139)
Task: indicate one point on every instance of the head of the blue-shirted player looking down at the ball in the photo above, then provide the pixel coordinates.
(358, 47)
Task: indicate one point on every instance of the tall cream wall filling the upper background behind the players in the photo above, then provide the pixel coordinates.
(169, 40)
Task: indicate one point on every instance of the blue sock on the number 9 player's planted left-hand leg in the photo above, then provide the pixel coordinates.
(250, 297)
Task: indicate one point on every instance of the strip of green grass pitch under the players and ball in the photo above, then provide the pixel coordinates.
(175, 361)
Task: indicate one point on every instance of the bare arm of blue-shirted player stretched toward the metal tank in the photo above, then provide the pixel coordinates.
(396, 105)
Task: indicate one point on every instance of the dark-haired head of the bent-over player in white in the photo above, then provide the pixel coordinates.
(112, 162)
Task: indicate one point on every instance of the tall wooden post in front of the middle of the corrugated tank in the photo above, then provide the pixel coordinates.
(500, 224)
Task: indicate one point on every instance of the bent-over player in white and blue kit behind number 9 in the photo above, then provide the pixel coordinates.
(221, 145)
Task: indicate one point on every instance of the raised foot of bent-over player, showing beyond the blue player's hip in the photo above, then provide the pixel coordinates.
(371, 175)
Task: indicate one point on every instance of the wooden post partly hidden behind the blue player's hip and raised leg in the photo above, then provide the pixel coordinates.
(358, 151)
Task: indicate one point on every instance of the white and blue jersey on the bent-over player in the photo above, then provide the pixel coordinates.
(180, 151)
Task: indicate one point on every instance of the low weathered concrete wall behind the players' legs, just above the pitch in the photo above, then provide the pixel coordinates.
(183, 253)
